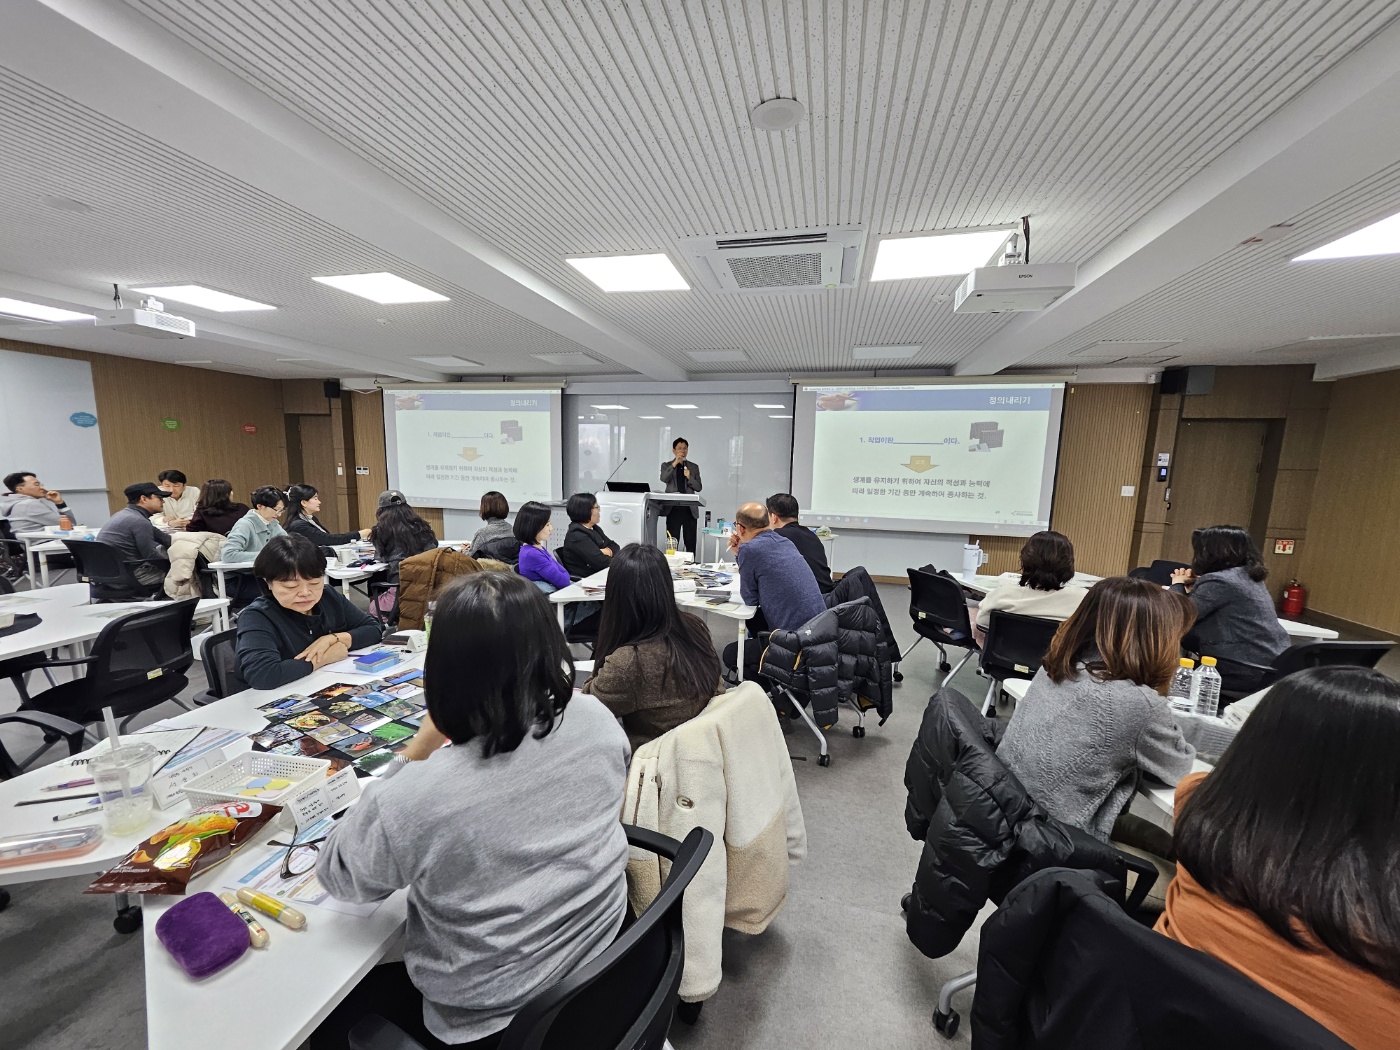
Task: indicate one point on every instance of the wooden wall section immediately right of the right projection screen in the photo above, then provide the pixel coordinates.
(1101, 451)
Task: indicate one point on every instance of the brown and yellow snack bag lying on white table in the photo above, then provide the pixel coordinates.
(170, 859)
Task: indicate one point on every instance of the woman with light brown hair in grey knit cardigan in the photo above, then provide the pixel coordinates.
(1094, 719)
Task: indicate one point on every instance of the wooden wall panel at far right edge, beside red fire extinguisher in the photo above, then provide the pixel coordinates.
(1352, 566)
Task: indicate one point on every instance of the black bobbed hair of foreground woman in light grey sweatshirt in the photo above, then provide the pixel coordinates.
(498, 667)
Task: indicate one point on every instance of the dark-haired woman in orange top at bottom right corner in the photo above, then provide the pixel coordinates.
(1290, 853)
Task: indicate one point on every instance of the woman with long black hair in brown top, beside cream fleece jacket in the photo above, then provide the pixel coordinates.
(656, 666)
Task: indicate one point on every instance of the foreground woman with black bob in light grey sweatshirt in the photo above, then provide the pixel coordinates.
(509, 842)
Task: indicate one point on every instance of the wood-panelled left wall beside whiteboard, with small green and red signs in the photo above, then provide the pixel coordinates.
(134, 397)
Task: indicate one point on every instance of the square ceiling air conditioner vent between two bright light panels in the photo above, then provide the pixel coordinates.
(780, 262)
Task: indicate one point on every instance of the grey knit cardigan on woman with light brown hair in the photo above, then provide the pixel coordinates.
(1079, 747)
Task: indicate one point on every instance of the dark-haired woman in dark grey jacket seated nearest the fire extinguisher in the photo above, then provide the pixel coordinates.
(1235, 618)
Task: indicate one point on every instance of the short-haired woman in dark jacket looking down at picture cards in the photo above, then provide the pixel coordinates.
(299, 625)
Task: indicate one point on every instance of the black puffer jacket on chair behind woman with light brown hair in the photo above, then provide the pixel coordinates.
(982, 832)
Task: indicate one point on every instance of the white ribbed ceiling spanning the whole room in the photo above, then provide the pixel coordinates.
(471, 146)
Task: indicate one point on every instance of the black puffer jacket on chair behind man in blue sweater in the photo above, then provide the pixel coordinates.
(828, 660)
